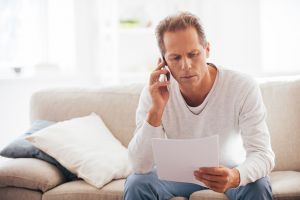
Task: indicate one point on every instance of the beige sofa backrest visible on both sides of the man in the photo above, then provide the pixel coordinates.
(117, 105)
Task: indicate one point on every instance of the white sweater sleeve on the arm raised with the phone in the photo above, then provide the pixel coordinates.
(140, 146)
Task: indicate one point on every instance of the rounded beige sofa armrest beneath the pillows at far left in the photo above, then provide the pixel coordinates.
(30, 173)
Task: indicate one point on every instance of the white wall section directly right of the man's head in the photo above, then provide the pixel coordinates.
(233, 29)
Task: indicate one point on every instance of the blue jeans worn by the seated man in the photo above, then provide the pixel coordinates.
(148, 186)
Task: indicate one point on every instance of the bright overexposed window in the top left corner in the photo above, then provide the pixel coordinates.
(36, 36)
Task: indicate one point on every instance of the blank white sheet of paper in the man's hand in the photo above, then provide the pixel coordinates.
(177, 159)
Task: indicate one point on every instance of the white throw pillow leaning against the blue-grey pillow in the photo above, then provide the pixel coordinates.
(86, 147)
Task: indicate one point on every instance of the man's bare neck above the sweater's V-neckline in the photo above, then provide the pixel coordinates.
(196, 94)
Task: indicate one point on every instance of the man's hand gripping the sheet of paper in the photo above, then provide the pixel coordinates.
(218, 179)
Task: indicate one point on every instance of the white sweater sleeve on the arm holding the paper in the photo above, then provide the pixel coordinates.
(256, 138)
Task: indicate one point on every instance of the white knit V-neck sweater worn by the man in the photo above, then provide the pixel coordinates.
(233, 109)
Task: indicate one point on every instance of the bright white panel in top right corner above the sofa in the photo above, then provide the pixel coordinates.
(280, 40)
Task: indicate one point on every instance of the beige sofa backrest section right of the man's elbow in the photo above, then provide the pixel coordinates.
(282, 100)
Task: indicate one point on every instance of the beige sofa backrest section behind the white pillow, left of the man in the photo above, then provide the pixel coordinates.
(115, 105)
